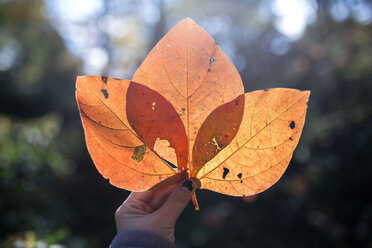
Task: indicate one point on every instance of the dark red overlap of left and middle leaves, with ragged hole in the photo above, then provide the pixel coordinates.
(157, 124)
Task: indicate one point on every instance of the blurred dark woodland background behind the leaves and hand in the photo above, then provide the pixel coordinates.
(51, 195)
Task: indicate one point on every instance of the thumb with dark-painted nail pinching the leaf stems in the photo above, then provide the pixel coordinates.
(178, 200)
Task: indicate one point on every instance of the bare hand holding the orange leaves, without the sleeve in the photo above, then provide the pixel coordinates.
(156, 211)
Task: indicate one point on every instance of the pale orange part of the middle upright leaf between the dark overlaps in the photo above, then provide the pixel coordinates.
(190, 70)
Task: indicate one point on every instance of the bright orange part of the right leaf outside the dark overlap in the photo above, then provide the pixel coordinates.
(262, 148)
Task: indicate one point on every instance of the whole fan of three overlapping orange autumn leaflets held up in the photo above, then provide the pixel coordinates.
(185, 111)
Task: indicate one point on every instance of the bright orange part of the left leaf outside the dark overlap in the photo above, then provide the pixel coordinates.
(115, 147)
